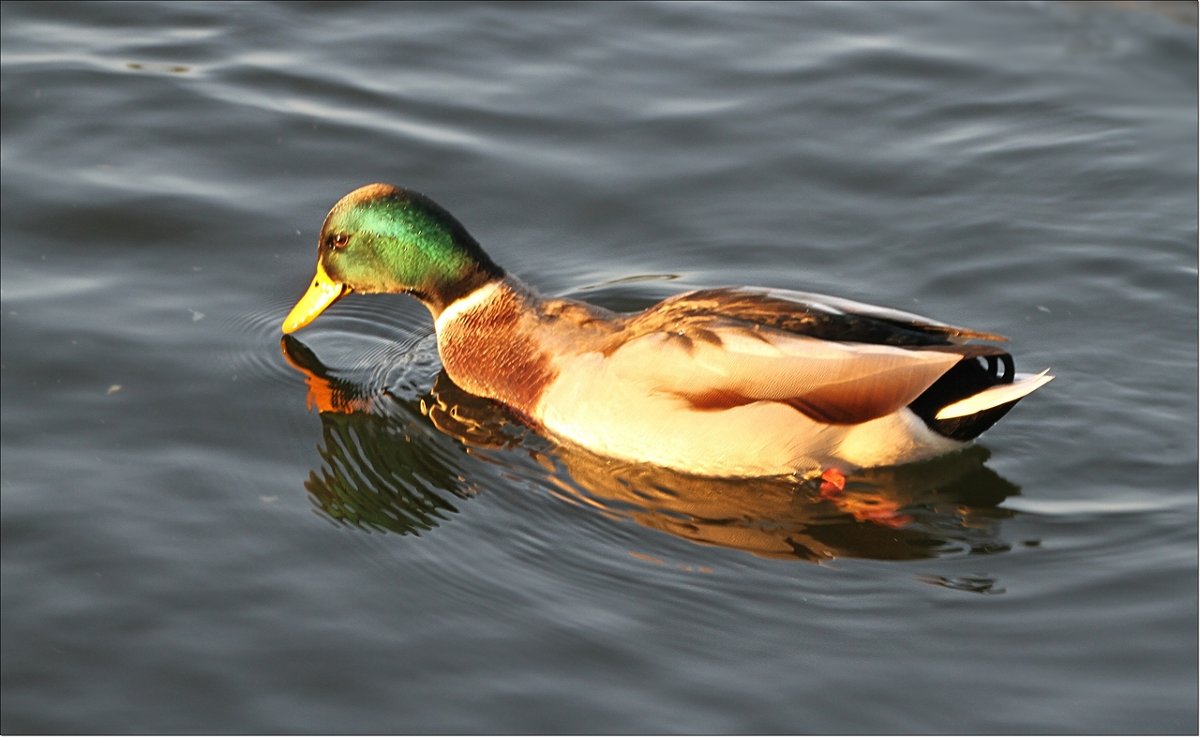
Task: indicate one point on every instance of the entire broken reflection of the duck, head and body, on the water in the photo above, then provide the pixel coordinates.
(386, 468)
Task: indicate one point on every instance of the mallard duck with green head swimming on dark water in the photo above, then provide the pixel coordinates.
(731, 382)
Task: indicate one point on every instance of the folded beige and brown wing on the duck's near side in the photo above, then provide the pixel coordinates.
(837, 362)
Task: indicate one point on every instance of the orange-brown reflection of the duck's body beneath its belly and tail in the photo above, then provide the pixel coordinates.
(897, 513)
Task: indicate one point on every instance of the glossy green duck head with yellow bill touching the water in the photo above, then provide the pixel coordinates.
(387, 239)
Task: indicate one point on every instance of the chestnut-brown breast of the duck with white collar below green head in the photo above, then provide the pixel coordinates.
(489, 344)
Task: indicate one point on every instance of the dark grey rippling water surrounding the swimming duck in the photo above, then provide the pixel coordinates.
(189, 549)
